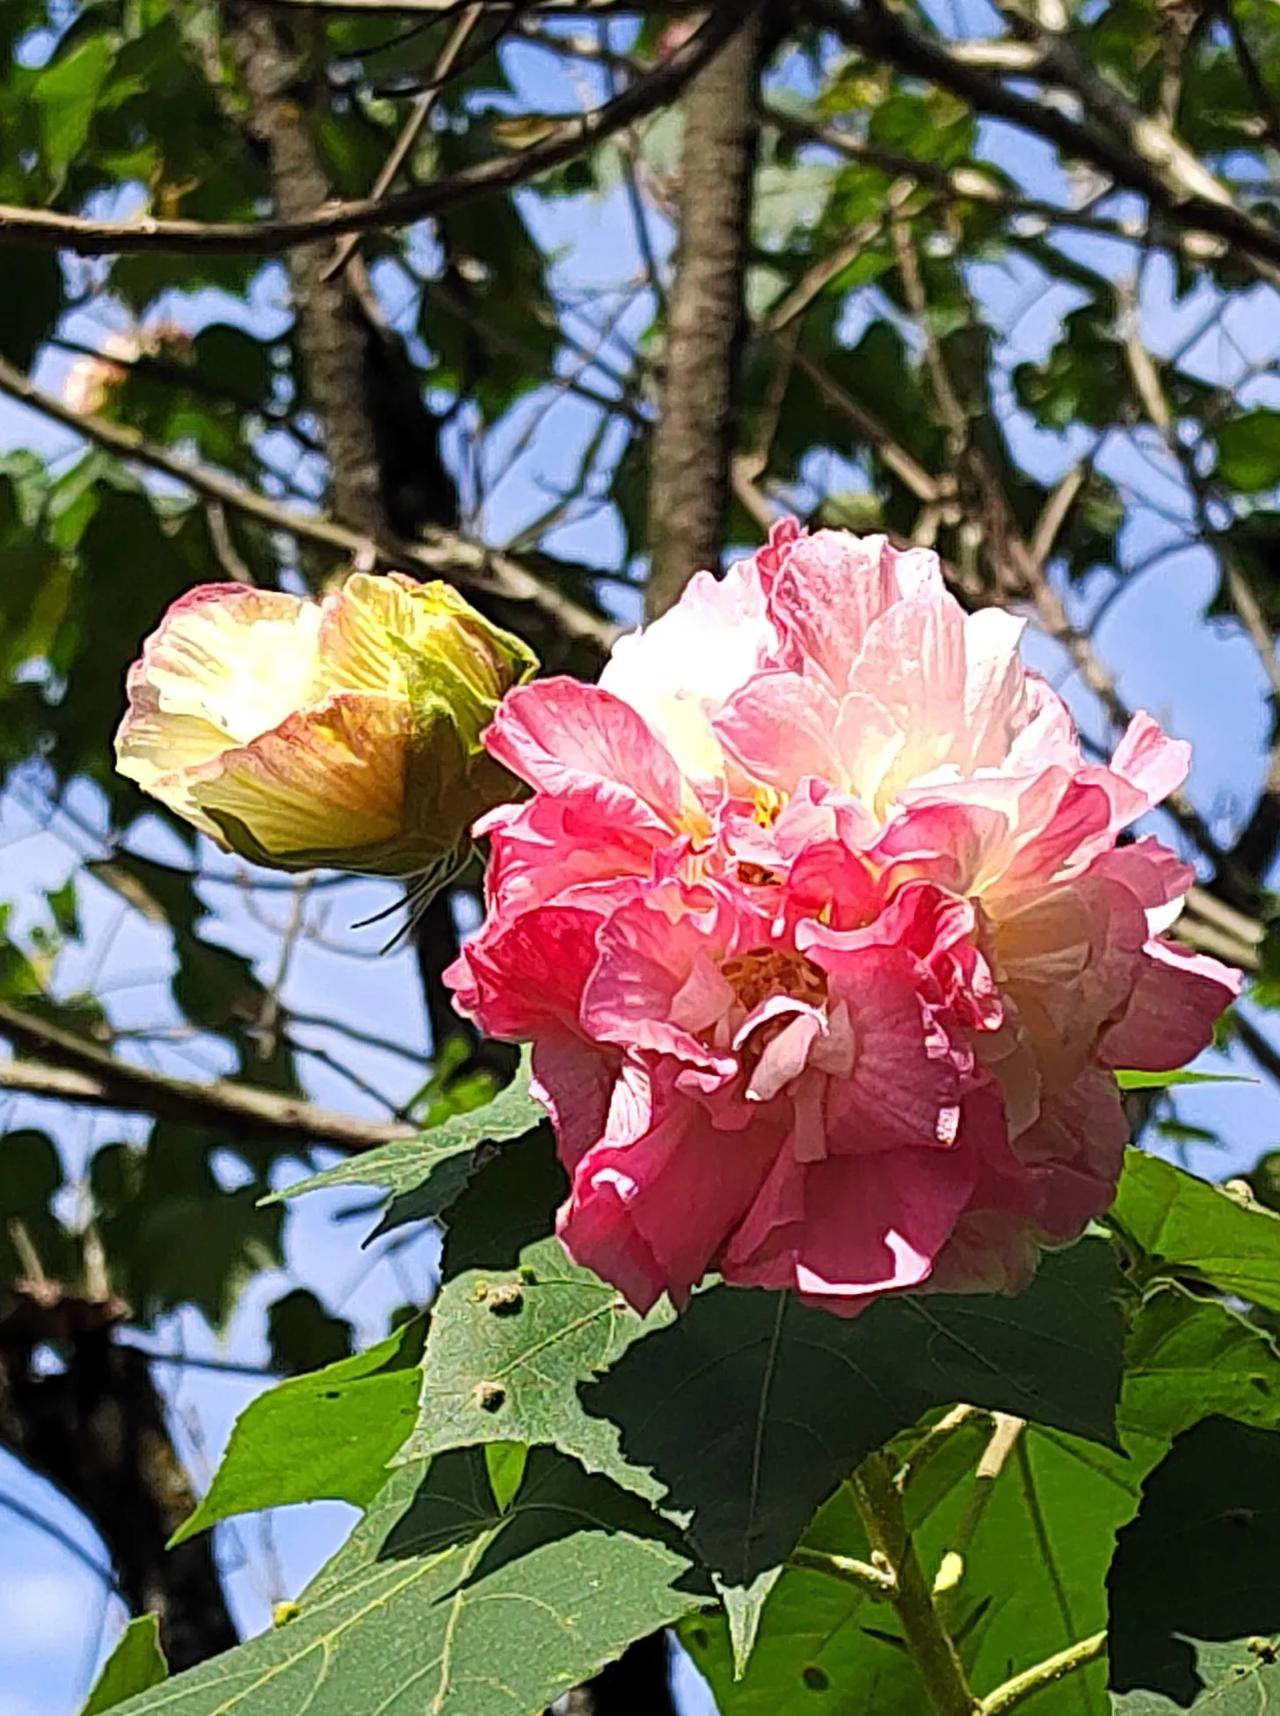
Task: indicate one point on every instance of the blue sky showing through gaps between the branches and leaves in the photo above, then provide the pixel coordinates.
(1204, 682)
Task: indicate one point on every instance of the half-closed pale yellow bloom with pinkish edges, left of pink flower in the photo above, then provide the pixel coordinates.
(341, 734)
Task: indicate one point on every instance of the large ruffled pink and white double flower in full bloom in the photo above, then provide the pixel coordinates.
(821, 933)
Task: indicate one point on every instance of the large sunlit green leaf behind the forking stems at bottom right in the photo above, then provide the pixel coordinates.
(1034, 1568)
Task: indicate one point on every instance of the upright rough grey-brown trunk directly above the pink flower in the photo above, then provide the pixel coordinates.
(691, 476)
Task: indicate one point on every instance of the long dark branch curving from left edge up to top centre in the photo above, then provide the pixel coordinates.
(504, 172)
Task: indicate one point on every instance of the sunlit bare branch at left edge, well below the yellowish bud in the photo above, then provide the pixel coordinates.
(73, 1070)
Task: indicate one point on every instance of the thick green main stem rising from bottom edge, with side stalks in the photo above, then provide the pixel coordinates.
(881, 1508)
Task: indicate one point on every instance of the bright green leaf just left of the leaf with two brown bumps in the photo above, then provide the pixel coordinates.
(329, 1435)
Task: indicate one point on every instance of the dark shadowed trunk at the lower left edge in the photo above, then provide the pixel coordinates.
(99, 1432)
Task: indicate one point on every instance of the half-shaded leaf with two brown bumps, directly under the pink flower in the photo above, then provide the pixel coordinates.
(744, 1413)
